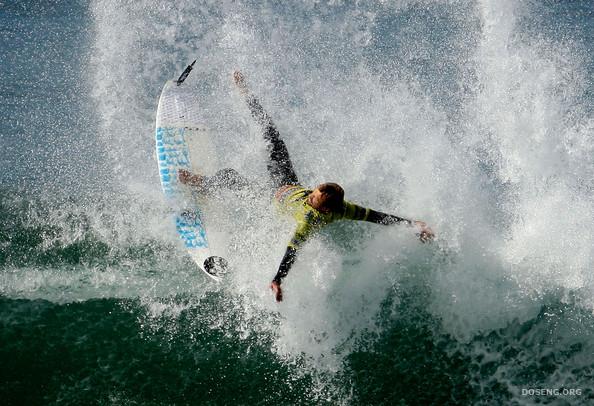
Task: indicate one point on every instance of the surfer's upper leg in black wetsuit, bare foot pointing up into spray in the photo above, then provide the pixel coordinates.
(279, 165)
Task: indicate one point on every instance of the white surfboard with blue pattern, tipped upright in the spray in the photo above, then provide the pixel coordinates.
(178, 121)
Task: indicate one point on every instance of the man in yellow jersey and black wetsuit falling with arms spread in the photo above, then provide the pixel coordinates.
(312, 209)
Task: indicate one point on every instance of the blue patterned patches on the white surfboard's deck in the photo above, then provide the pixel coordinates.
(173, 154)
